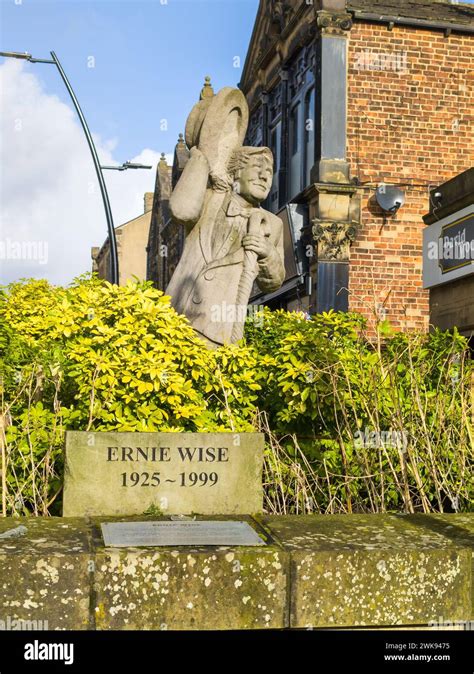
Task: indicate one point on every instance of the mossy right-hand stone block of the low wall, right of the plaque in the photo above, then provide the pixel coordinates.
(376, 570)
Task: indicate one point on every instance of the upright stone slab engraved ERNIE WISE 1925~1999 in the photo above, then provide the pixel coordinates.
(171, 473)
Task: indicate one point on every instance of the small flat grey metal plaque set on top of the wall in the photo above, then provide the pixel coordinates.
(156, 534)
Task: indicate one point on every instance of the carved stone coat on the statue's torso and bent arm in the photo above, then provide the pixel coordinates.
(205, 282)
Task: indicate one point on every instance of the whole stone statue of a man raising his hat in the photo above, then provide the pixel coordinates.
(230, 240)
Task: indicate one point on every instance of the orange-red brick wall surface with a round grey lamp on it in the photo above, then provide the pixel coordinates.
(409, 121)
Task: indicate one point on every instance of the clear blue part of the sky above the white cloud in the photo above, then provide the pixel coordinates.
(150, 58)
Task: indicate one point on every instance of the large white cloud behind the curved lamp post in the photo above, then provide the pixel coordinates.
(49, 195)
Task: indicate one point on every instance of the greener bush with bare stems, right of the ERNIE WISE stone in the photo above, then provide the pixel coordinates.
(376, 425)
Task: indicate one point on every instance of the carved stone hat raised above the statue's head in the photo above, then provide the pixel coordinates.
(217, 126)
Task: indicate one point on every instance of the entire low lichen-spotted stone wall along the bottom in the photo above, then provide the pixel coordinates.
(316, 571)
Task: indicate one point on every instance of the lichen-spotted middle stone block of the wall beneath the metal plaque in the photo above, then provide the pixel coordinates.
(192, 587)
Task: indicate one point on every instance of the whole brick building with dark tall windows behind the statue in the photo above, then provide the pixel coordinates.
(351, 95)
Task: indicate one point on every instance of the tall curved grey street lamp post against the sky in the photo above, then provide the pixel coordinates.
(98, 168)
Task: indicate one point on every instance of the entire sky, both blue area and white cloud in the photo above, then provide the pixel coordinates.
(137, 69)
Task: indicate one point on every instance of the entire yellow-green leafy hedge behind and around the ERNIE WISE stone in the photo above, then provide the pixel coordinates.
(95, 356)
